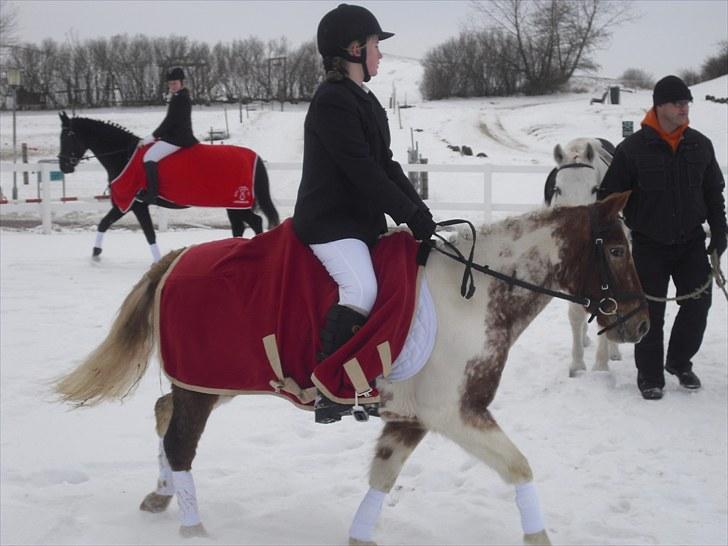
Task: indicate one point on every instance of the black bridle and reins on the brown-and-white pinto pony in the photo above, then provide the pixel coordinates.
(606, 302)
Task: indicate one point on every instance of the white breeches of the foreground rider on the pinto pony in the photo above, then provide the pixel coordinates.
(349, 263)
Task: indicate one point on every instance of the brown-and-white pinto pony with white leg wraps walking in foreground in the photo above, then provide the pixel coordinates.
(580, 250)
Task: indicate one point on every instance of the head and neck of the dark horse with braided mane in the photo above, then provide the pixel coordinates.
(111, 144)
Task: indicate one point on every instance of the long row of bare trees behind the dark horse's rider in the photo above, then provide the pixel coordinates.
(130, 70)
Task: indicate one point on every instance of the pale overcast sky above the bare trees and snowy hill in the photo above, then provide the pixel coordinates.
(668, 35)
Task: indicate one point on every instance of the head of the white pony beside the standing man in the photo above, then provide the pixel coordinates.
(581, 165)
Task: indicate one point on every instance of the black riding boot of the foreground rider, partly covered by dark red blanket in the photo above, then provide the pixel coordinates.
(341, 324)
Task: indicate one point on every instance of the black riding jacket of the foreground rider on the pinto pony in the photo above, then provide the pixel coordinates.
(349, 179)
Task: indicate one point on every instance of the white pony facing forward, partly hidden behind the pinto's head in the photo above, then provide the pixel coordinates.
(581, 166)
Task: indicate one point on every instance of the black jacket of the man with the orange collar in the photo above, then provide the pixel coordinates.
(673, 193)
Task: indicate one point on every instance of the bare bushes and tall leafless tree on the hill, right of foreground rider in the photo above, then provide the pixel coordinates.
(521, 46)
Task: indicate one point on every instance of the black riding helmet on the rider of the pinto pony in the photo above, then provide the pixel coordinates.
(346, 24)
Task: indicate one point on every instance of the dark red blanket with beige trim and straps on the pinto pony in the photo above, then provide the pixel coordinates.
(243, 315)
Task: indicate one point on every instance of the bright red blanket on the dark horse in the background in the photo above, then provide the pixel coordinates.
(204, 175)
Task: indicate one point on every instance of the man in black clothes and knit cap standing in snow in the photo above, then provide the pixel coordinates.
(676, 185)
